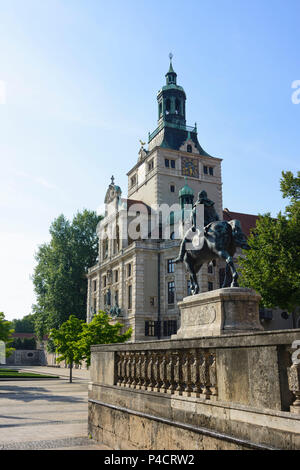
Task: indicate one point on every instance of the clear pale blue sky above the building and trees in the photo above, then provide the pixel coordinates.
(81, 78)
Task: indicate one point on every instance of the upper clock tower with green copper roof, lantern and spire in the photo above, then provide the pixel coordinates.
(173, 154)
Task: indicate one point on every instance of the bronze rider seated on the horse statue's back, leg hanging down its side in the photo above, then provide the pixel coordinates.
(210, 215)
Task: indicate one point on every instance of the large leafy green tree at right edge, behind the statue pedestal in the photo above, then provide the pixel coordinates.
(272, 265)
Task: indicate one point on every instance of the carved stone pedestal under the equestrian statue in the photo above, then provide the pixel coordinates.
(214, 313)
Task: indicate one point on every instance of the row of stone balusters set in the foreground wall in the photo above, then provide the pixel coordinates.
(190, 372)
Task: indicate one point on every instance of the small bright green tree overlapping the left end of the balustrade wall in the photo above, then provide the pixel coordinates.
(101, 331)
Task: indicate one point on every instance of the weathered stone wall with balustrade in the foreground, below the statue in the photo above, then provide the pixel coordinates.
(230, 392)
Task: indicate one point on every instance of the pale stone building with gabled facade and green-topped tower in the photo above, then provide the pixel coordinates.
(137, 275)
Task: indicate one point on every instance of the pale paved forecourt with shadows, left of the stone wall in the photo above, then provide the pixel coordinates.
(44, 414)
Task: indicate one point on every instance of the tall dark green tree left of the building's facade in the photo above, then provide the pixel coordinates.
(60, 274)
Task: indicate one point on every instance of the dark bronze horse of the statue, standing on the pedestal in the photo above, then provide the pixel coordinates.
(217, 240)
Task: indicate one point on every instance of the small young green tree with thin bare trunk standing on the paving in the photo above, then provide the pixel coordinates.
(66, 341)
